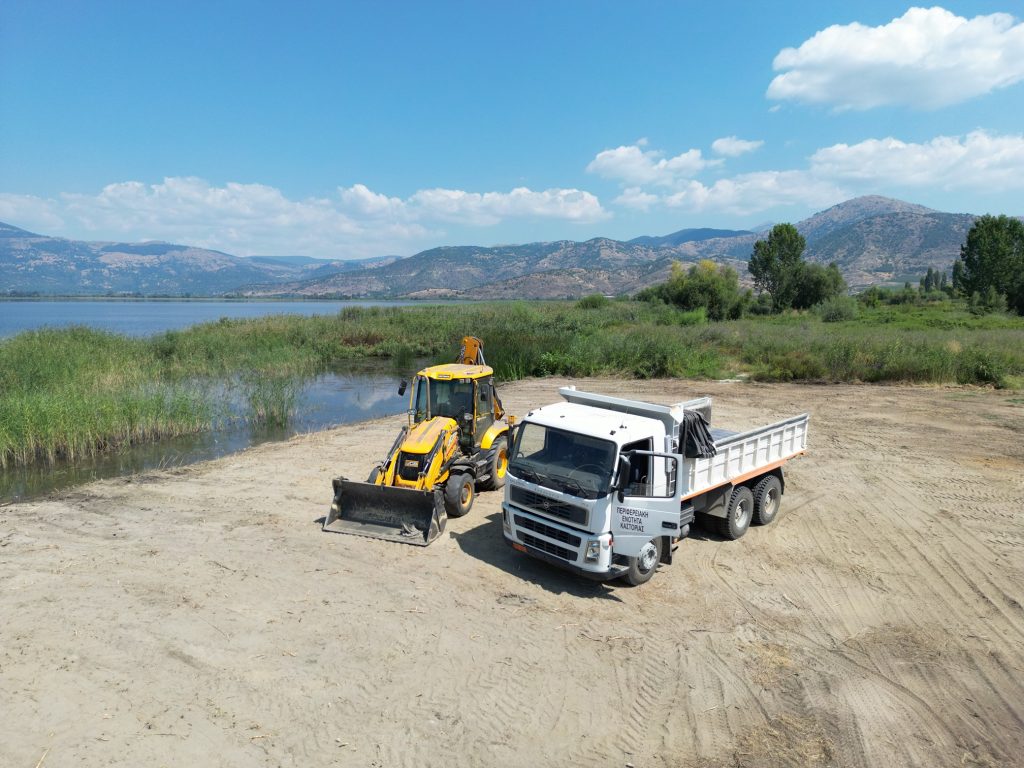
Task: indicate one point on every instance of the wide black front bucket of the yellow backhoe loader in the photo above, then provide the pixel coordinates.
(389, 513)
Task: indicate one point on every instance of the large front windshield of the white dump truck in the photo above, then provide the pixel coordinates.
(564, 461)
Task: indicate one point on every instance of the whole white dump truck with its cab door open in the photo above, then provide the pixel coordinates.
(607, 488)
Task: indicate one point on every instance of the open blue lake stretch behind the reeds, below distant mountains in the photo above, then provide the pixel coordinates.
(143, 318)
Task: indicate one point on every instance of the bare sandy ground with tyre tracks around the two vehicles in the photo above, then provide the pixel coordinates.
(200, 617)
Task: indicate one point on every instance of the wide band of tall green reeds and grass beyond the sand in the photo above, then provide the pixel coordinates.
(70, 393)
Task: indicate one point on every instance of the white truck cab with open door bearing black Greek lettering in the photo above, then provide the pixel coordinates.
(593, 490)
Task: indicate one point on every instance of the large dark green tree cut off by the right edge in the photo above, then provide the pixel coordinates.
(993, 258)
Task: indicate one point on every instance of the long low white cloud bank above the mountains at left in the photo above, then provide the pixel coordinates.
(249, 219)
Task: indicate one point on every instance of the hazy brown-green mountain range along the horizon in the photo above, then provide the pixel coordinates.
(874, 240)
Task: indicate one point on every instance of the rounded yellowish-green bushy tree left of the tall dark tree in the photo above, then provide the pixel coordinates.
(713, 287)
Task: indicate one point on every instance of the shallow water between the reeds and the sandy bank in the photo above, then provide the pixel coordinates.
(326, 401)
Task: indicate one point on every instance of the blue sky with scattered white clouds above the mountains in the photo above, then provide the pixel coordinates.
(355, 130)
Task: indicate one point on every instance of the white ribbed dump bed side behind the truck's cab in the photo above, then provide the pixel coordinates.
(745, 455)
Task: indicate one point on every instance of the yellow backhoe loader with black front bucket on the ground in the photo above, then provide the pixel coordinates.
(455, 444)
